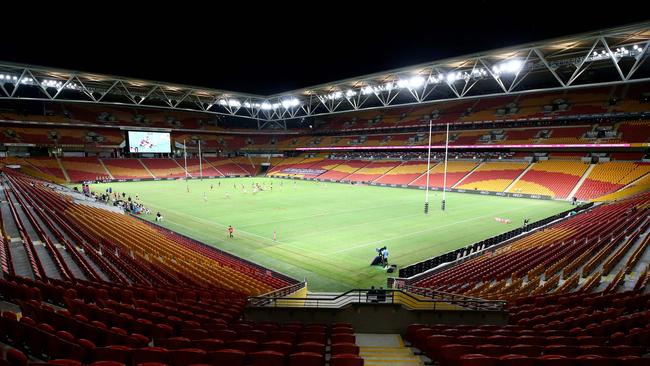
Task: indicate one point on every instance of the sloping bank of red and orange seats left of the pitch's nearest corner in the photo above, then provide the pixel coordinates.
(149, 256)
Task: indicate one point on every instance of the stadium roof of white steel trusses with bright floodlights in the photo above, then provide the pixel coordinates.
(600, 58)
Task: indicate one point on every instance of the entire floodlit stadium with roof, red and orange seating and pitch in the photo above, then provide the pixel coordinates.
(486, 209)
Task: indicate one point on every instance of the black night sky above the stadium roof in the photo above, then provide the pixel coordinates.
(274, 52)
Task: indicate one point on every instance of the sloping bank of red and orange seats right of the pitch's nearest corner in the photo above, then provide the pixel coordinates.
(563, 248)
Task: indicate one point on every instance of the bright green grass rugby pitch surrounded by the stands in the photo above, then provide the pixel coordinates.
(327, 232)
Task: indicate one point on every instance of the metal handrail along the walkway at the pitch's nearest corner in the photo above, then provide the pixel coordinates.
(380, 296)
